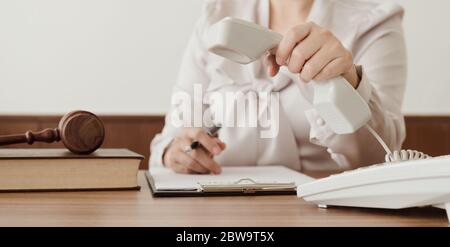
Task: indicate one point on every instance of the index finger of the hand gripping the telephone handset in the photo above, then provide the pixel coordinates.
(290, 40)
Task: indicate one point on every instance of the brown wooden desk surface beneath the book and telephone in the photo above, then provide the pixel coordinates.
(139, 208)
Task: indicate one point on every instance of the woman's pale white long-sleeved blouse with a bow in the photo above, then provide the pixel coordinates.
(374, 34)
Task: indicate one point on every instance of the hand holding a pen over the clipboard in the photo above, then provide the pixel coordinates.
(197, 160)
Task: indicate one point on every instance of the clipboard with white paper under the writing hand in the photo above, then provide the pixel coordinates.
(267, 180)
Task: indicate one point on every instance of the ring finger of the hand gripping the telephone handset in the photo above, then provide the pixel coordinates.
(316, 63)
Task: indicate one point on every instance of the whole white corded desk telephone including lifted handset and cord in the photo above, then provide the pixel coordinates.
(407, 179)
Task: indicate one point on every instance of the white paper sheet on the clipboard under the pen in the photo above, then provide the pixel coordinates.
(167, 180)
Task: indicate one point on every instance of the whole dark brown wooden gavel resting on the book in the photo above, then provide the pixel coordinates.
(81, 132)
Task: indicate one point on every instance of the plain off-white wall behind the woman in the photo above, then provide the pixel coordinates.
(122, 56)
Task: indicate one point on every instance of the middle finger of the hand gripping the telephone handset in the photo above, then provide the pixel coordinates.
(303, 52)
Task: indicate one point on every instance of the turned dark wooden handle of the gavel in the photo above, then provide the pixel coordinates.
(47, 135)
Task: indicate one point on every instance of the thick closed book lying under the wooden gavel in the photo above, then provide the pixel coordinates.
(23, 170)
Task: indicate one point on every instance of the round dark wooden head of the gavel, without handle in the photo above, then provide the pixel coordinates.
(81, 132)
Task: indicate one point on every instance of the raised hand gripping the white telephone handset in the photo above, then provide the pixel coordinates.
(314, 53)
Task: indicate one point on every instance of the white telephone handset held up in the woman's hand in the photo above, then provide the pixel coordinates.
(336, 101)
